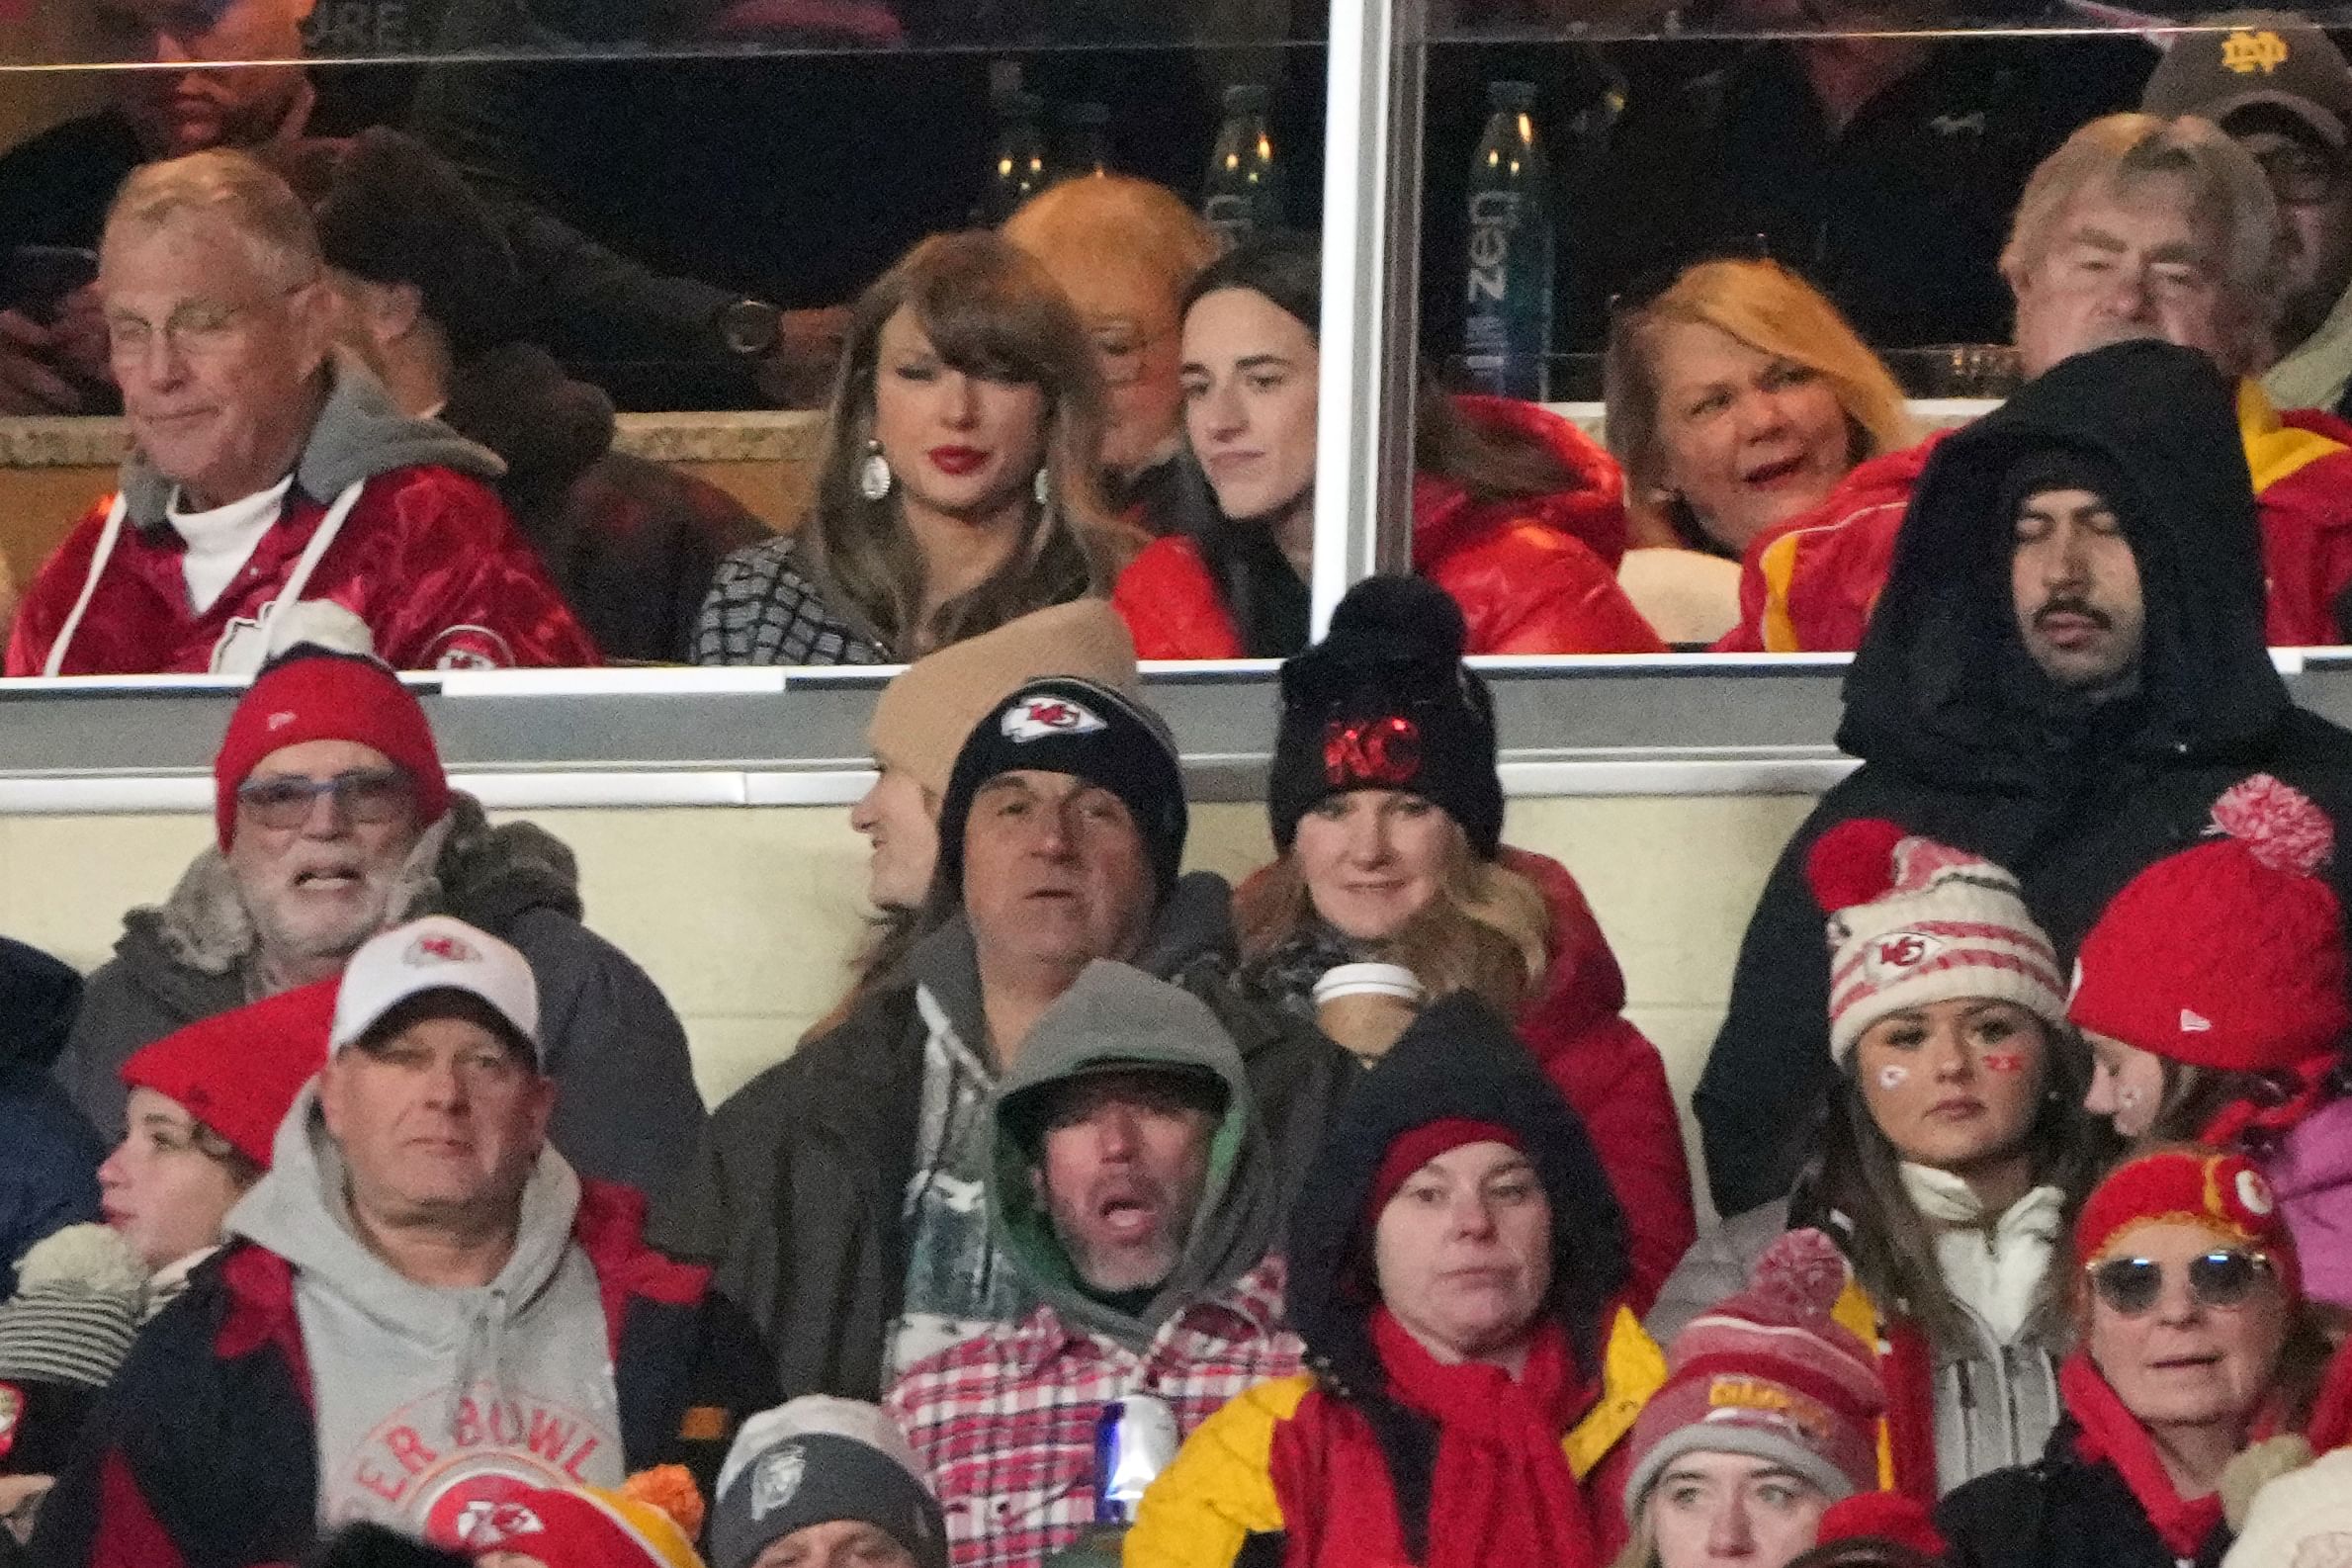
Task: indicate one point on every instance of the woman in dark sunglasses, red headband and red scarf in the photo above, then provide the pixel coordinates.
(2193, 1341)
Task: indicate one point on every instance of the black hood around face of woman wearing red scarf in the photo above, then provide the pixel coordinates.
(1457, 1061)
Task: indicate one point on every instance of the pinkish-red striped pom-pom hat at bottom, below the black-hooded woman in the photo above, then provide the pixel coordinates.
(1775, 1376)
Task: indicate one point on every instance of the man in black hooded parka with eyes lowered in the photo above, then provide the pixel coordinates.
(2000, 704)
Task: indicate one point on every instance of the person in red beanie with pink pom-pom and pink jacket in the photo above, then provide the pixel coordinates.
(2214, 1000)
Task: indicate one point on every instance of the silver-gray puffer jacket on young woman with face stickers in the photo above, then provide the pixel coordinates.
(1996, 1402)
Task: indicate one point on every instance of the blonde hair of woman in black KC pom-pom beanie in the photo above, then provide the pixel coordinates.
(1485, 932)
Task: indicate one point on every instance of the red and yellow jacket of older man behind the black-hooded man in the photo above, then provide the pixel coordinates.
(1808, 587)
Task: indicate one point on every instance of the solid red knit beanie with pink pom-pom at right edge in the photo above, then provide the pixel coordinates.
(2231, 953)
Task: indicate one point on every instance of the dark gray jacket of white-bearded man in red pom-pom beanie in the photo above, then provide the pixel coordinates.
(627, 1108)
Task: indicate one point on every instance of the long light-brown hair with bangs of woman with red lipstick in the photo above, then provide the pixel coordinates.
(989, 309)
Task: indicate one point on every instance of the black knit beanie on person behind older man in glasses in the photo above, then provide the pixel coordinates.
(399, 213)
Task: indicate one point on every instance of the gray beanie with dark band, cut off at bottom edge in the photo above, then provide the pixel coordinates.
(822, 1461)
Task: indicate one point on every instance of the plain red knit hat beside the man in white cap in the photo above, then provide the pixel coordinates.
(239, 1071)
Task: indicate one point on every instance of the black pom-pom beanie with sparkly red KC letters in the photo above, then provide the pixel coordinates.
(1387, 704)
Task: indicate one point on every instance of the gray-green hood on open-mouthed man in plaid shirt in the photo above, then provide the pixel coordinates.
(1121, 1014)
